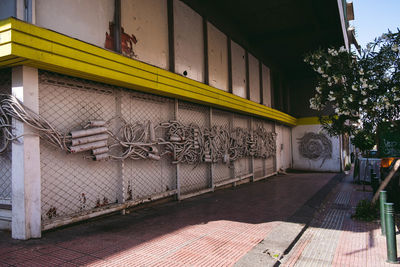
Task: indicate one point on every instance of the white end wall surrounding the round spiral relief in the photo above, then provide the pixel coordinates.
(329, 162)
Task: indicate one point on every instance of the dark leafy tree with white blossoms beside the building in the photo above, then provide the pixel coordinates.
(363, 90)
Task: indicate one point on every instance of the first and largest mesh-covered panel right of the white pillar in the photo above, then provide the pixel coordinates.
(70, 183)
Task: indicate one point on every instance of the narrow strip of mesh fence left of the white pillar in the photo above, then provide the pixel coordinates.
(5, 158)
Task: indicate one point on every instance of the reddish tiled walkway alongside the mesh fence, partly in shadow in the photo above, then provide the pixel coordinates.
(211, 230)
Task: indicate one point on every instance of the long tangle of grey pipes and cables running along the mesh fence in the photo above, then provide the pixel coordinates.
(188, 144)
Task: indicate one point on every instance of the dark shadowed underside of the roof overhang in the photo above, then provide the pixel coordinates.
(279, 32)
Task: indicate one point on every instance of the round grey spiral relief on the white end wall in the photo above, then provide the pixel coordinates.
(315, 146)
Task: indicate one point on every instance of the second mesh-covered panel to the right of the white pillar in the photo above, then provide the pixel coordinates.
(144, 178)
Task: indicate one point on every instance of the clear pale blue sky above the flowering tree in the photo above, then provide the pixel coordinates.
(374, 17)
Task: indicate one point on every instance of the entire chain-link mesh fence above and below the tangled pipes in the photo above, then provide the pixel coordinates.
(74, 185)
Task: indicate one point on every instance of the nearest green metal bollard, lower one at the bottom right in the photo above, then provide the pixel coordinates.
(390, 234)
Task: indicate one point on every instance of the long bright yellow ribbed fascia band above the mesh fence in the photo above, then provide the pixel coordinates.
(24, 43)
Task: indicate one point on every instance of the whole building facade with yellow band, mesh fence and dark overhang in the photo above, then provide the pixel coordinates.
(154, 74)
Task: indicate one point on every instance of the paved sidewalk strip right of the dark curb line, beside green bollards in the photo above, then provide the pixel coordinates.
(334, 239)
